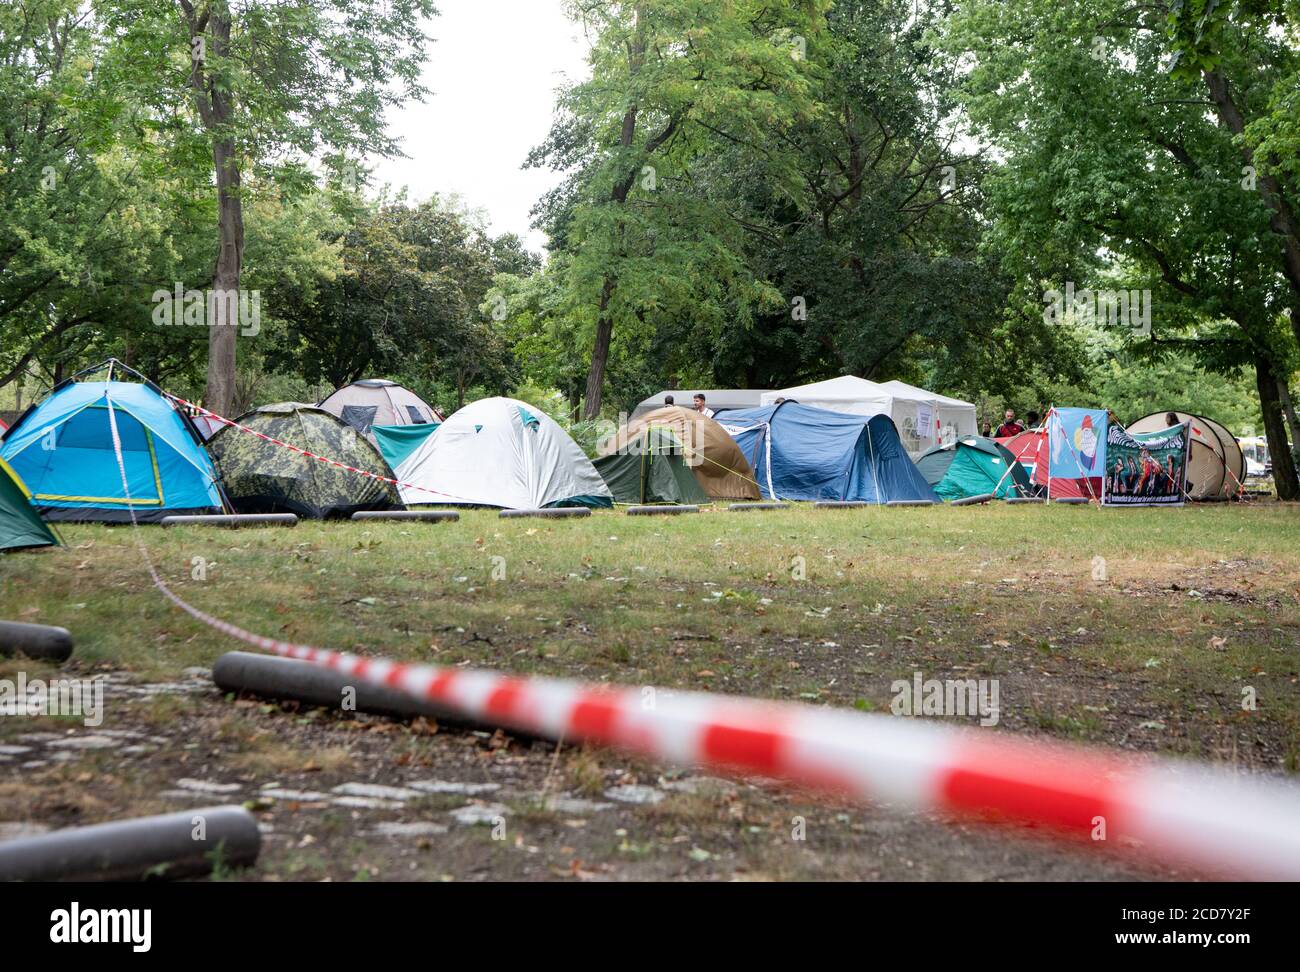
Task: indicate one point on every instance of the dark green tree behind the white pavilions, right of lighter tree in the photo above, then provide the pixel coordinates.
(881, 262)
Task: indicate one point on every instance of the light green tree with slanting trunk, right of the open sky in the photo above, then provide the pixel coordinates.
(669, 80)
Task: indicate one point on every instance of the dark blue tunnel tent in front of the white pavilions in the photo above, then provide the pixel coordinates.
(804, 453)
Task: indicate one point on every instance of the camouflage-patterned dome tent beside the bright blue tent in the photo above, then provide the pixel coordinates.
(262, 478)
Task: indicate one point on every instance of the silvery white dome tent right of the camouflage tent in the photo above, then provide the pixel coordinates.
(501, 453)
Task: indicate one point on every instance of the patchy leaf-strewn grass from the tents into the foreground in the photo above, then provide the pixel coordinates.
(1137, 630)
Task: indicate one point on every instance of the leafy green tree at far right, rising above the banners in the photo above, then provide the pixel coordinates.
(1119, 172)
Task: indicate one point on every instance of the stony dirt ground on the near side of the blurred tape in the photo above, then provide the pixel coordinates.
(380, 800)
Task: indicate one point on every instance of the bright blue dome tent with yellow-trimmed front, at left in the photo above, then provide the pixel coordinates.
(63, 449)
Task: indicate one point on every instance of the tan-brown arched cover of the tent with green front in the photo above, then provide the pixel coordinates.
(709, 452)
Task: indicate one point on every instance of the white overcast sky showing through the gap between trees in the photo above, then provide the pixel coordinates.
(492, 72)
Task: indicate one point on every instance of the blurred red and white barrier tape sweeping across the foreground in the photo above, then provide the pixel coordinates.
(1169, 812)
